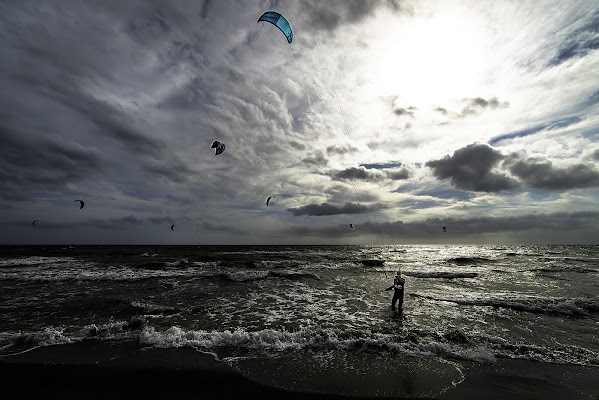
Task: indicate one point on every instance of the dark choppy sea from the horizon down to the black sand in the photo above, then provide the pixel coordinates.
(318, 318)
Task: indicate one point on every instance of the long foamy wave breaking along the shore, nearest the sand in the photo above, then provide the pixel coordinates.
(452, 343)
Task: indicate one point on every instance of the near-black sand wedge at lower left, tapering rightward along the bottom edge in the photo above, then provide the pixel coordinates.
(94, 370)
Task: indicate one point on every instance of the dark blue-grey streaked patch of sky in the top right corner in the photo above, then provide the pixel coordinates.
(579, 42)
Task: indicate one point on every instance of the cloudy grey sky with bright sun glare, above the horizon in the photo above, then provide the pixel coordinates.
(398, 117)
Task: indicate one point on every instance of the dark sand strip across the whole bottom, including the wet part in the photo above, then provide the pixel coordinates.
(93, 370)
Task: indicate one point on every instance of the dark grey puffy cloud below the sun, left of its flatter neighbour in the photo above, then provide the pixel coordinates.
(470, 168)
